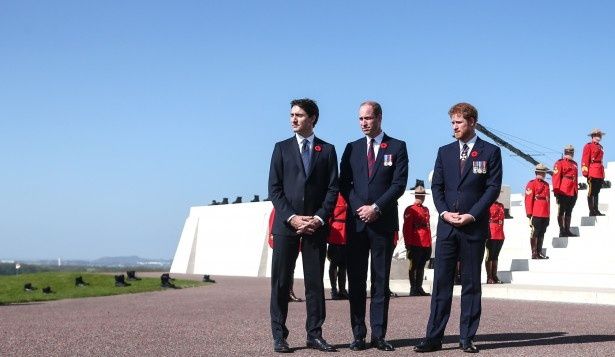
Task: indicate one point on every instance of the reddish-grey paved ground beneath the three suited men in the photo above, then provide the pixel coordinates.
(232, 318)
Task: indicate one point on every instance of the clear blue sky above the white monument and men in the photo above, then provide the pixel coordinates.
(117, 116)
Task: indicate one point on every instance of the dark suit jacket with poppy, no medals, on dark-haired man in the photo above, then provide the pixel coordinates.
(292, 192)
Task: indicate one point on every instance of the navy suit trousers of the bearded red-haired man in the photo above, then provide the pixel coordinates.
(470, 253)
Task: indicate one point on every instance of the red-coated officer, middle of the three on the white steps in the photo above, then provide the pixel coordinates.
(565, 188)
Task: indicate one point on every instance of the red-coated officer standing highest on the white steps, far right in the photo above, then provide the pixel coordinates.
(593, 169)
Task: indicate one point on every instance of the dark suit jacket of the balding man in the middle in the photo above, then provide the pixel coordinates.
(385, 186)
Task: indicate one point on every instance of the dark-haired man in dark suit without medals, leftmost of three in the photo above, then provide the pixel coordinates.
(303, 187)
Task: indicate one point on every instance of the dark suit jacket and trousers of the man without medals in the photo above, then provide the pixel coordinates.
(292, 192)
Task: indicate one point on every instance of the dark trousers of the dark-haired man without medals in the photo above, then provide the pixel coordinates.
(285, 252)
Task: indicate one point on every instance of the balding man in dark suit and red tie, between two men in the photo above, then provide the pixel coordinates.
(373, 175)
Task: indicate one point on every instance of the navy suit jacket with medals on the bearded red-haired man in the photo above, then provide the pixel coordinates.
(471, 191)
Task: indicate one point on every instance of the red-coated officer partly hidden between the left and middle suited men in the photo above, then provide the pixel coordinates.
(336, 252)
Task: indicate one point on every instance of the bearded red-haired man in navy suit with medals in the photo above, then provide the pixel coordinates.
(466, 180)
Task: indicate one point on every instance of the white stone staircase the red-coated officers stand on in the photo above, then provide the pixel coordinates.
(580, 269)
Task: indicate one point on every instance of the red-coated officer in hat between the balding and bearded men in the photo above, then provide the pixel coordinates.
(417, 237)
